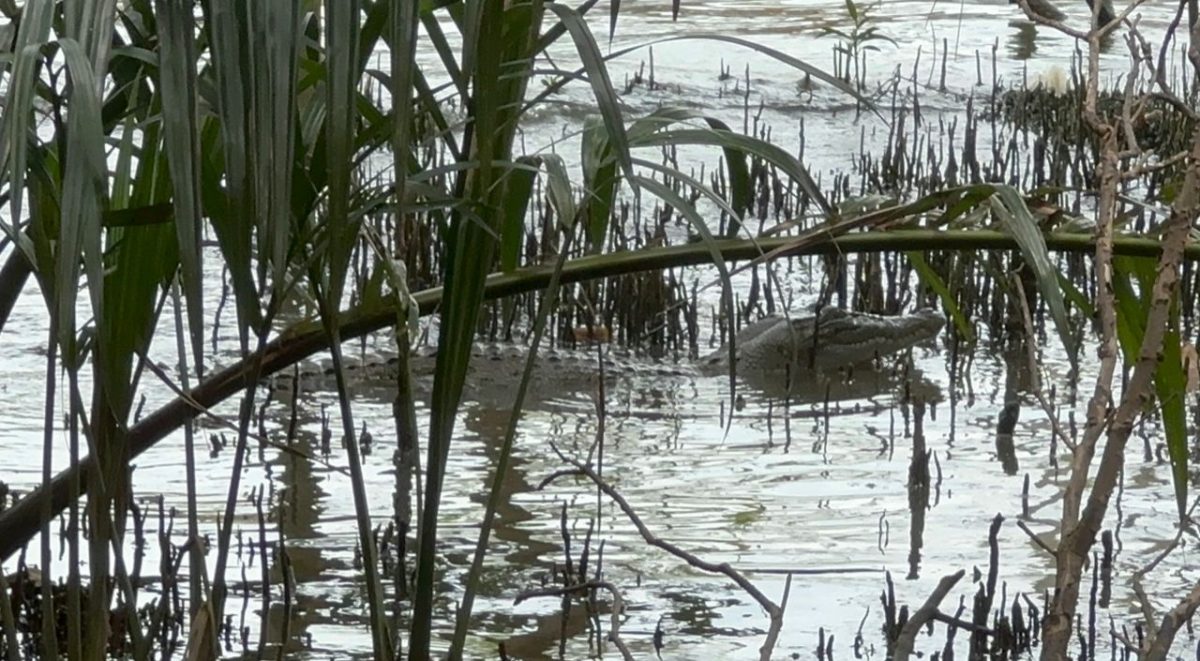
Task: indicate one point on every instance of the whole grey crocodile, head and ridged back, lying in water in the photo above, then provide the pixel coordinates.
(767, 351)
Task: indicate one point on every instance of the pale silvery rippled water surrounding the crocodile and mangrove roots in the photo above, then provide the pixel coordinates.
(800, 488)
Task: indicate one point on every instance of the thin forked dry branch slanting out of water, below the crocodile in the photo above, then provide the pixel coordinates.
(773, 611)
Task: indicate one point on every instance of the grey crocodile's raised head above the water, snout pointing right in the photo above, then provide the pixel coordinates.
(829, 340)
